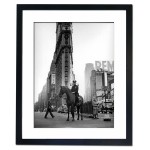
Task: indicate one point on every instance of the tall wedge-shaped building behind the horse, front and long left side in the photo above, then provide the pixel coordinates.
(62, 63)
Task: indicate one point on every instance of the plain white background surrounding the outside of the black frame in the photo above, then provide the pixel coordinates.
(141, 73)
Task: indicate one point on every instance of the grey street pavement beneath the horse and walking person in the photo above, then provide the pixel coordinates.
(59, 121)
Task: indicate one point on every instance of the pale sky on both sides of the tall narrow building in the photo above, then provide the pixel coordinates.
(91, 42)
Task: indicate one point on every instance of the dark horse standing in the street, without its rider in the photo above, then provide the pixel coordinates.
(71, 102)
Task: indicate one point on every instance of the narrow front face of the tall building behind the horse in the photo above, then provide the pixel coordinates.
(63, 55)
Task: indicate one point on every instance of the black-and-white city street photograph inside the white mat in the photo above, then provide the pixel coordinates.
(74, 75)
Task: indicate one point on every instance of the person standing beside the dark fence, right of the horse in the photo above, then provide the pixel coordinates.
(95, 107)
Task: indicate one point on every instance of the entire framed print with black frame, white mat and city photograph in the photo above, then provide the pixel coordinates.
(74, 75)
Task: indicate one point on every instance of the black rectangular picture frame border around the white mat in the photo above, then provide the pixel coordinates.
(113, 142)
